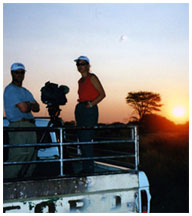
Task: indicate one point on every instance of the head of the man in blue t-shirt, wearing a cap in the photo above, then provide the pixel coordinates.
(18, 73)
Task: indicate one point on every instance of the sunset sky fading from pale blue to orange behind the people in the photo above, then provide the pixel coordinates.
(131, 47)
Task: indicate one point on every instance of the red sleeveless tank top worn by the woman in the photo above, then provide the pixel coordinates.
(87, 91)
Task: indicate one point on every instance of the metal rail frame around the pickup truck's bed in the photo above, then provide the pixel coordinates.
(62, 133)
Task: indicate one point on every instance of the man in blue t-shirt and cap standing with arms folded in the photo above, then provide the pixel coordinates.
(19, 103)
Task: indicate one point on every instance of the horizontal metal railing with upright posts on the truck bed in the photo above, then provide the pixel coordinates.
(62, 141)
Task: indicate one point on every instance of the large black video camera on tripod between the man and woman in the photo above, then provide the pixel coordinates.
(52, 95)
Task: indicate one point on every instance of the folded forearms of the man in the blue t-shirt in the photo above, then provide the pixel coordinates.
(27, 106)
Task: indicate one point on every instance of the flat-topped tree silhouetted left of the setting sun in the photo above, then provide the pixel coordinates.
(144, 102)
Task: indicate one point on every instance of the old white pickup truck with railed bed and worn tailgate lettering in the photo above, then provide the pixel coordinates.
(115, 186)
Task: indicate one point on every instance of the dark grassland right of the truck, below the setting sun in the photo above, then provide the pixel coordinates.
(164, 156)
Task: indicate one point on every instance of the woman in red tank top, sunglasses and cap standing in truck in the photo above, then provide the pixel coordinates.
(90, 93)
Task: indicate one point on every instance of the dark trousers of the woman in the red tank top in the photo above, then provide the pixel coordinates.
(87, 117)
